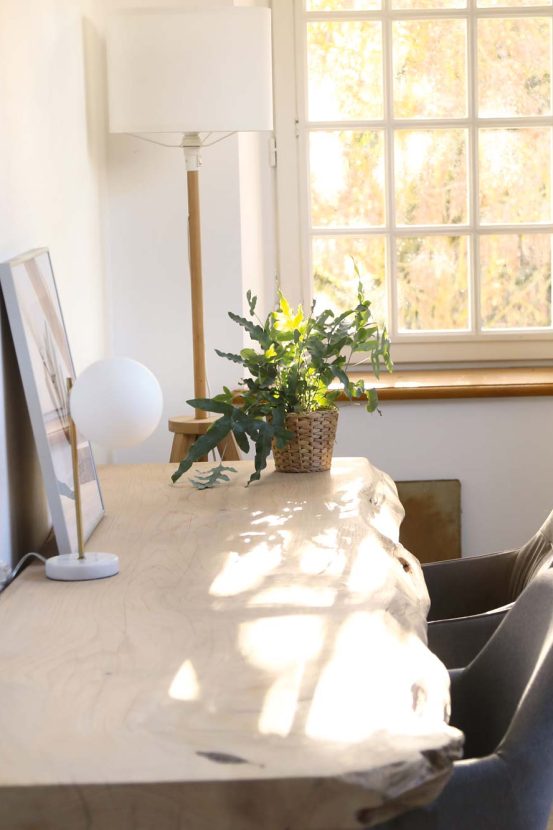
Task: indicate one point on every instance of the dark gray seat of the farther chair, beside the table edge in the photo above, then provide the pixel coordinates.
(457, 641)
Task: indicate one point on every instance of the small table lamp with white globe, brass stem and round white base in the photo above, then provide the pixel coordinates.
(116, 403)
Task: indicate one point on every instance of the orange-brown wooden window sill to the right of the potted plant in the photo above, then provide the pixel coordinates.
(460, 383)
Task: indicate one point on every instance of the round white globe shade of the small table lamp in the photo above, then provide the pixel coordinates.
(116, 402)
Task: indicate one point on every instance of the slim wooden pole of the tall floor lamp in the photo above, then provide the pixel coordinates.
(196, 288)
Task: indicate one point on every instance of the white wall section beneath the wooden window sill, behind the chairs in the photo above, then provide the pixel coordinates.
(501, 449)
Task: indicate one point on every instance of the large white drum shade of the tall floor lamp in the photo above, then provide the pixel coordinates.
(190, 71)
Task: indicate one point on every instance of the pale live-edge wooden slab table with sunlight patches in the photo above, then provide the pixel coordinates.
(258, 664)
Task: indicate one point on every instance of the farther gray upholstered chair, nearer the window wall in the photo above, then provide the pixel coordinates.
(470, 596)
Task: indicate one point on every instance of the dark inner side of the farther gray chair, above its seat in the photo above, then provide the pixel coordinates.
(472, 585)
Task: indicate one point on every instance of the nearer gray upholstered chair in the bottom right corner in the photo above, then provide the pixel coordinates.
(503, 702)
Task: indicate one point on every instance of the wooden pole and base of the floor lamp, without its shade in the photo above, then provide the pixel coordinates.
(187, 429)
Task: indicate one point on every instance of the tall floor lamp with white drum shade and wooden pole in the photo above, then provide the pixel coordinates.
(199, 74)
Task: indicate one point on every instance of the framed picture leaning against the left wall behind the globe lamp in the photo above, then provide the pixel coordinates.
(45, 364)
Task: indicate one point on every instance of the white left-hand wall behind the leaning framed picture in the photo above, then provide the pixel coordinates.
(51, 150)
